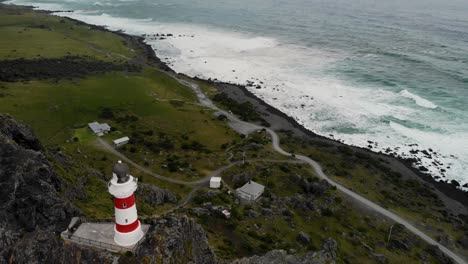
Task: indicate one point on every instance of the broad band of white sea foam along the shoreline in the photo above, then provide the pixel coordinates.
(293, 79)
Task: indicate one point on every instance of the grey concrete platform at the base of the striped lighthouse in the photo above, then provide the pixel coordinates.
(100, 235)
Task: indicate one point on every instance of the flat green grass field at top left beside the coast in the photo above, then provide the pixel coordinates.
(34, 35)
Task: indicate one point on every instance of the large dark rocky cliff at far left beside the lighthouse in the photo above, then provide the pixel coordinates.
(32, 213)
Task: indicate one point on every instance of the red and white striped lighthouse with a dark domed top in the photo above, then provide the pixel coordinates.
(122, 186)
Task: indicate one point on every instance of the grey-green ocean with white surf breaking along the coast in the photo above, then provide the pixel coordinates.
(391, 76)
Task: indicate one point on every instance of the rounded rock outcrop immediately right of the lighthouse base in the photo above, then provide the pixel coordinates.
(176, 240)
